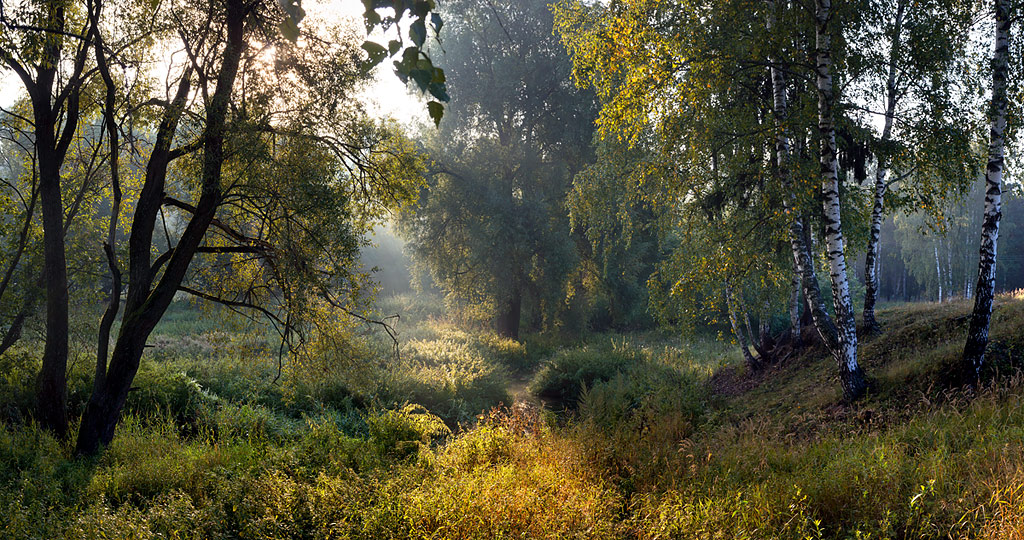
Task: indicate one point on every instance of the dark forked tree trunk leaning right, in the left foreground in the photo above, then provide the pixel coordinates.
(145, 308)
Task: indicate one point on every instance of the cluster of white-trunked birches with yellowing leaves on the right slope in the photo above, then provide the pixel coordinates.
(787, 143)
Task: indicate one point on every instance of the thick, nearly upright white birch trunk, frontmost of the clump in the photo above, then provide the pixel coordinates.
(846, 354)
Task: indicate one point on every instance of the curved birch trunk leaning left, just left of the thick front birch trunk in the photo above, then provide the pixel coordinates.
(799, 236)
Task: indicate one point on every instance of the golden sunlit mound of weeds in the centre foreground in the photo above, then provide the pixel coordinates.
(509, 478)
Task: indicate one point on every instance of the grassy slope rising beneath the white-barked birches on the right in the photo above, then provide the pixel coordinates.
(786, 459)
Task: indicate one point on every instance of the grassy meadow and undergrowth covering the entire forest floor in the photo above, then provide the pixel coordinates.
(465, 435)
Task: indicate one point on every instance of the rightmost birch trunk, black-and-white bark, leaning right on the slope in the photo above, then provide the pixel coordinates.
(977, 338)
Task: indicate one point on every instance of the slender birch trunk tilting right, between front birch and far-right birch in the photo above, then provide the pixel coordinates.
(881, 186)
